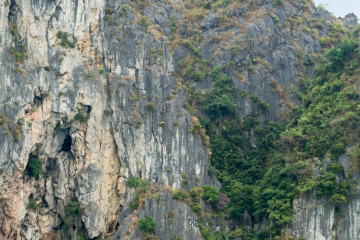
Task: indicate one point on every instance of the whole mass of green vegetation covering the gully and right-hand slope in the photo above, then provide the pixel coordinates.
(263, 166)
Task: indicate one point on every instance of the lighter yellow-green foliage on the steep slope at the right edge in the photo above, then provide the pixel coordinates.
(329, 115)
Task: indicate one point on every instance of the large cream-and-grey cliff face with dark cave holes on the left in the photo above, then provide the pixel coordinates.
(93, 114)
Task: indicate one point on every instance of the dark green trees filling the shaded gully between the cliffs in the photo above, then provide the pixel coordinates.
(240, 165)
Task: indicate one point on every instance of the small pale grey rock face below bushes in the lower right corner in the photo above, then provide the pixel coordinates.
(319, 219)
